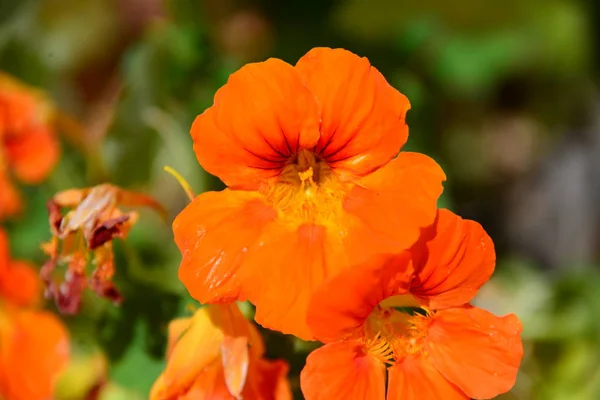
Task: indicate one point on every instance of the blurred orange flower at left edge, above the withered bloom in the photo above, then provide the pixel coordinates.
(28, 145)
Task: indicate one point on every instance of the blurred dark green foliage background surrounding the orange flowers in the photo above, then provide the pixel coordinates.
(504, 95)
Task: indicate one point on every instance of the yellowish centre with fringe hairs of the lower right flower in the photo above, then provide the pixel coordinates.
(396, 329)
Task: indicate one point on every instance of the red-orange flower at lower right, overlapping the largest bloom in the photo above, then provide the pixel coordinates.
(376, 317)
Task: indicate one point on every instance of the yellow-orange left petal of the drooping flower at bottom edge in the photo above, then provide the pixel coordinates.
(198, 348)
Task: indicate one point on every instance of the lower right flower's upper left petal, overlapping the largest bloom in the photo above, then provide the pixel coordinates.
(340, 307)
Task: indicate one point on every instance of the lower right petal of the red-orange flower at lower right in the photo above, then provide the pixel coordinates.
(477, 351)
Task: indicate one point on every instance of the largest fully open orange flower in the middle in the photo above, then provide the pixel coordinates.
(310, 155)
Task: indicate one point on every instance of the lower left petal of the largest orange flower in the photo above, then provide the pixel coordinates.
(214, 233)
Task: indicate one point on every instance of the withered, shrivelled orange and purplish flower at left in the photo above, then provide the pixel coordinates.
(84, 235)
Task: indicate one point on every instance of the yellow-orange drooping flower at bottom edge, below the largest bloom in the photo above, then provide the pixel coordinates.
(218, 354)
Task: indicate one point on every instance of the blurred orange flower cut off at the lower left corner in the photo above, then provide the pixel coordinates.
(34, 346)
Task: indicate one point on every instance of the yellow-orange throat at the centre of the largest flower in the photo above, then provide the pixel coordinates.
(307, 191)
